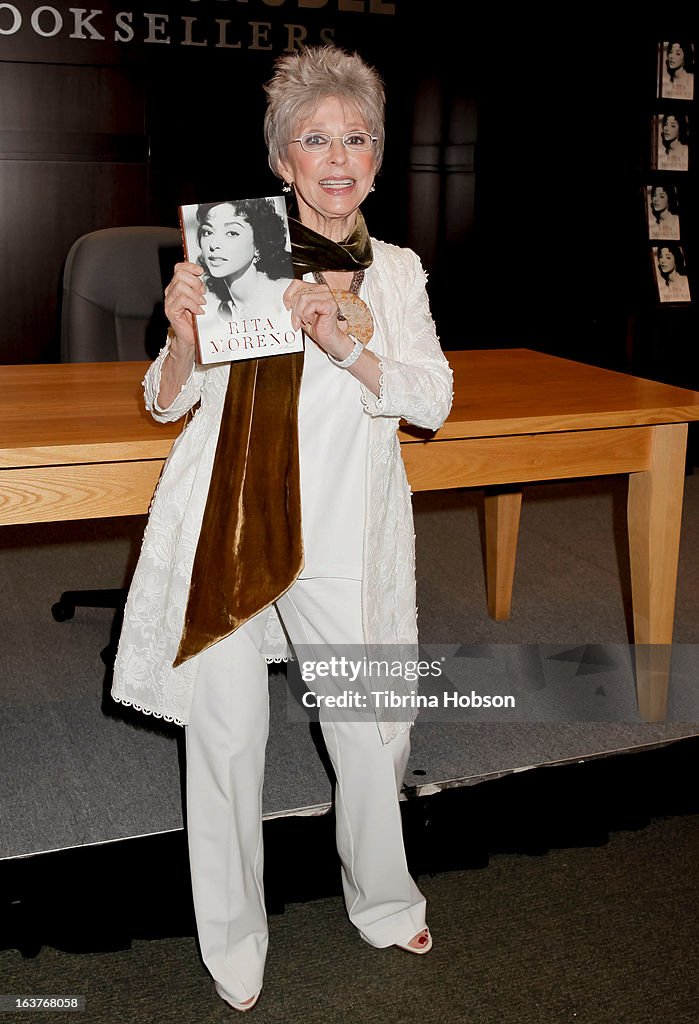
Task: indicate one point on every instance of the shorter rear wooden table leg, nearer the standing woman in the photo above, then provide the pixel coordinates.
(502, 527)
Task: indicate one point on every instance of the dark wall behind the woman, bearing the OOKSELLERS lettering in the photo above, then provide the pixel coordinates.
(515, 156)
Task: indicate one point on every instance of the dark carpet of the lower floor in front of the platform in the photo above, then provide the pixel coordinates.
(604, 935)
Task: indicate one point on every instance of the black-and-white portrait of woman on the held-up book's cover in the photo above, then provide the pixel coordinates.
(244, 255)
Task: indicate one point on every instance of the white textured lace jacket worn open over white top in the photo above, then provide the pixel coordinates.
(416, 385)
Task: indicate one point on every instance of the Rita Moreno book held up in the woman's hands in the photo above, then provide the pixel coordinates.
(245, 250)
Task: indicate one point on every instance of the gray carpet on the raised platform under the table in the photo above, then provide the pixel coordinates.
(73, 772)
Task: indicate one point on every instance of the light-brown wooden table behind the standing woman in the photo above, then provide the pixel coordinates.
(76, 444)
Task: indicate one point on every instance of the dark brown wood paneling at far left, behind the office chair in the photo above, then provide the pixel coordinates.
(73, 158)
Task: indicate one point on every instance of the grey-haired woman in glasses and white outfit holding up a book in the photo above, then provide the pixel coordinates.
(284, 514)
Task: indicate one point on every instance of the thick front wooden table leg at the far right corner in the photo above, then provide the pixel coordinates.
(656, 498)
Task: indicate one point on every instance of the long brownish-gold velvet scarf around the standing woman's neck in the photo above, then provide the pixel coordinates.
(250, 549)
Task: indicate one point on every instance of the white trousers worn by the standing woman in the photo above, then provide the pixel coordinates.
(226, 751)
